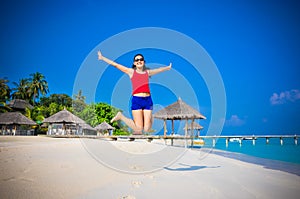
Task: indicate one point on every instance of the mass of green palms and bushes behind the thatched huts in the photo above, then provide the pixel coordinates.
(34, 90)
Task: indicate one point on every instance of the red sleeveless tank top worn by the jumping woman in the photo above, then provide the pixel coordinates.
(140, 82)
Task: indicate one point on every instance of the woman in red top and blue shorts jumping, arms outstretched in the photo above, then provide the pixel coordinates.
(141, 101)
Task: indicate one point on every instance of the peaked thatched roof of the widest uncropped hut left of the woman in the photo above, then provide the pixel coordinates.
(64, 116)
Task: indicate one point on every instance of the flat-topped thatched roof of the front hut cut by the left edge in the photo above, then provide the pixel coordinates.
(15, 118)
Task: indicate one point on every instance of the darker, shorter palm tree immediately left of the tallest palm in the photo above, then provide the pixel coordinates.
(21, 90)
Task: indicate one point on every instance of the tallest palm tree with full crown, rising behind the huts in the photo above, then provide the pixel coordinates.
(38, 85)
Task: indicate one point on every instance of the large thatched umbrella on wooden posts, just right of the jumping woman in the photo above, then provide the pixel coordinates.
(178, 111)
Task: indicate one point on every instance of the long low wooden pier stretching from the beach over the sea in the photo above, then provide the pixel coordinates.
(228, 139)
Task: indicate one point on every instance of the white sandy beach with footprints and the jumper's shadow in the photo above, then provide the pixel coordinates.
(42, 167)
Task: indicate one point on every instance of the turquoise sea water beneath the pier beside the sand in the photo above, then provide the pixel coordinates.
(285, 157)
